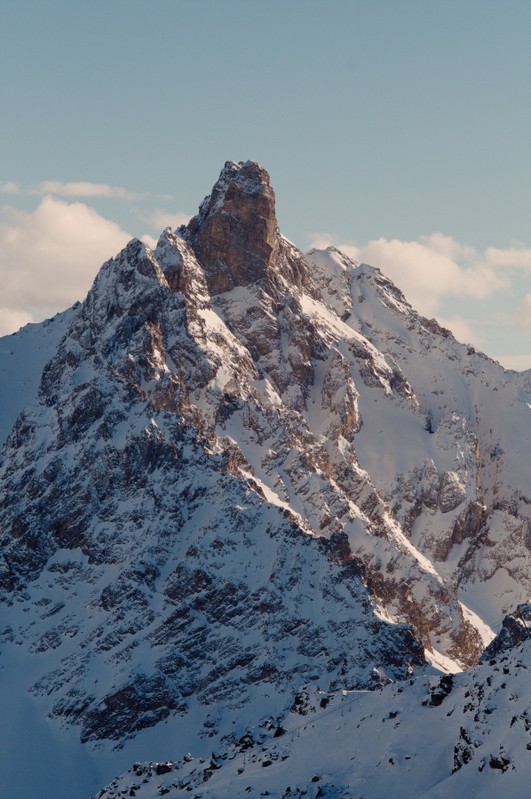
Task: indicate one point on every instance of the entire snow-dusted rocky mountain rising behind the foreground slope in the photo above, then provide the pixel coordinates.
(232, 471)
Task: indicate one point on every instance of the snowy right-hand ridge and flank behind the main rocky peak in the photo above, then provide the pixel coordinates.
(463, 497)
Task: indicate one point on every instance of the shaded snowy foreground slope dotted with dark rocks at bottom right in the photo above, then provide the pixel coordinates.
(468, 735)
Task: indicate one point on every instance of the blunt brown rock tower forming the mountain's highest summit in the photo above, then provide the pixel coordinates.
(235, 234)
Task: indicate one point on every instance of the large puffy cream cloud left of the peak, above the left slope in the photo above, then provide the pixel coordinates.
(50, 256)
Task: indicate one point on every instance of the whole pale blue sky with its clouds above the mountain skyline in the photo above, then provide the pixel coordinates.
(397, 129)
